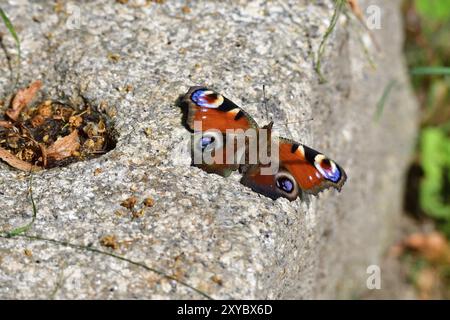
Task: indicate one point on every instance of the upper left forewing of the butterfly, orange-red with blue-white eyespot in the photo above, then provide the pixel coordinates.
(205, 109)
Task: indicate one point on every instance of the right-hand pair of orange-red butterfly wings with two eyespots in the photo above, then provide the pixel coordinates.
(300, 169)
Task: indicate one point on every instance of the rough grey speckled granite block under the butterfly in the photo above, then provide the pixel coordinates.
(210, 232)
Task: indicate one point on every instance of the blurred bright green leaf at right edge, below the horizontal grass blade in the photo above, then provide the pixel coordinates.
(434, 193)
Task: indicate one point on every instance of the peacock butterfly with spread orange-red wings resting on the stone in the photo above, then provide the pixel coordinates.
(224, 136)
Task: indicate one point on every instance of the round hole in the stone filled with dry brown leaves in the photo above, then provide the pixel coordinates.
(51, 134)
